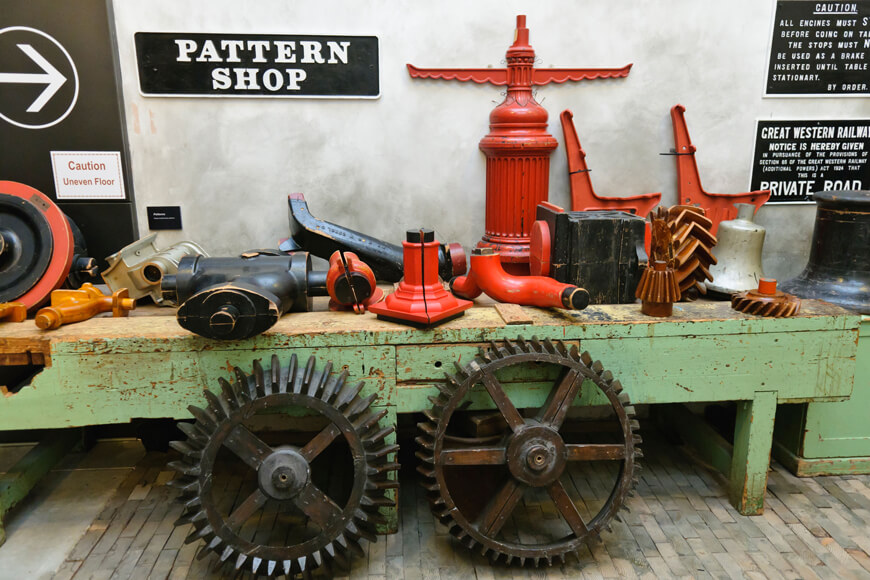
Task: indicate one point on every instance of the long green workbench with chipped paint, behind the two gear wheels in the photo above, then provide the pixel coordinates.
(113, 370)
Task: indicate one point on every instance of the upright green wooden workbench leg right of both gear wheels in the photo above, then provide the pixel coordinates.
(753, 437)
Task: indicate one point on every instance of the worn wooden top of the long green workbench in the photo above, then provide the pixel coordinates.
(151, 326)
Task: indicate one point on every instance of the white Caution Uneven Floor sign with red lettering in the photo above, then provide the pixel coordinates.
(88, 174)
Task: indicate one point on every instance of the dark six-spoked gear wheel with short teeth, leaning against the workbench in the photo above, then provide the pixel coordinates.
(484, 485)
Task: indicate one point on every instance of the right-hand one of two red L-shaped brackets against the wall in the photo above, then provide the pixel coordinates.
(720, 206)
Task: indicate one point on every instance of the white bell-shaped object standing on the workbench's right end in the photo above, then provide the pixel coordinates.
(738, 253)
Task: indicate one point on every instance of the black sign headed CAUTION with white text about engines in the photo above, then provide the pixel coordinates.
(819, 48)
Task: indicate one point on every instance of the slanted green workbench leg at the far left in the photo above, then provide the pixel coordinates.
(24, 475)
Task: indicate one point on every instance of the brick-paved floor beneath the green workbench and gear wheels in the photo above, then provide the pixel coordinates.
(680, 525)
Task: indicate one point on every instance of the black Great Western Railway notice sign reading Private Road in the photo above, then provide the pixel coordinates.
(793, 159)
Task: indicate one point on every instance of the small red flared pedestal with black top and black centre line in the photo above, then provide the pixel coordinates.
(420, 298)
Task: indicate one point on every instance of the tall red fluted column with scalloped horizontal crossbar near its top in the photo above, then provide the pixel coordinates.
(518, 147)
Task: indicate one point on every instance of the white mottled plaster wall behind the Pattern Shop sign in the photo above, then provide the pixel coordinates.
(410, 158)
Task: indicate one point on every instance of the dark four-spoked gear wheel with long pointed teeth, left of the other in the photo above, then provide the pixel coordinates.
(285, 509)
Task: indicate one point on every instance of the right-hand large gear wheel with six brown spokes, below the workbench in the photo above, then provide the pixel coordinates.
(533, 450)
